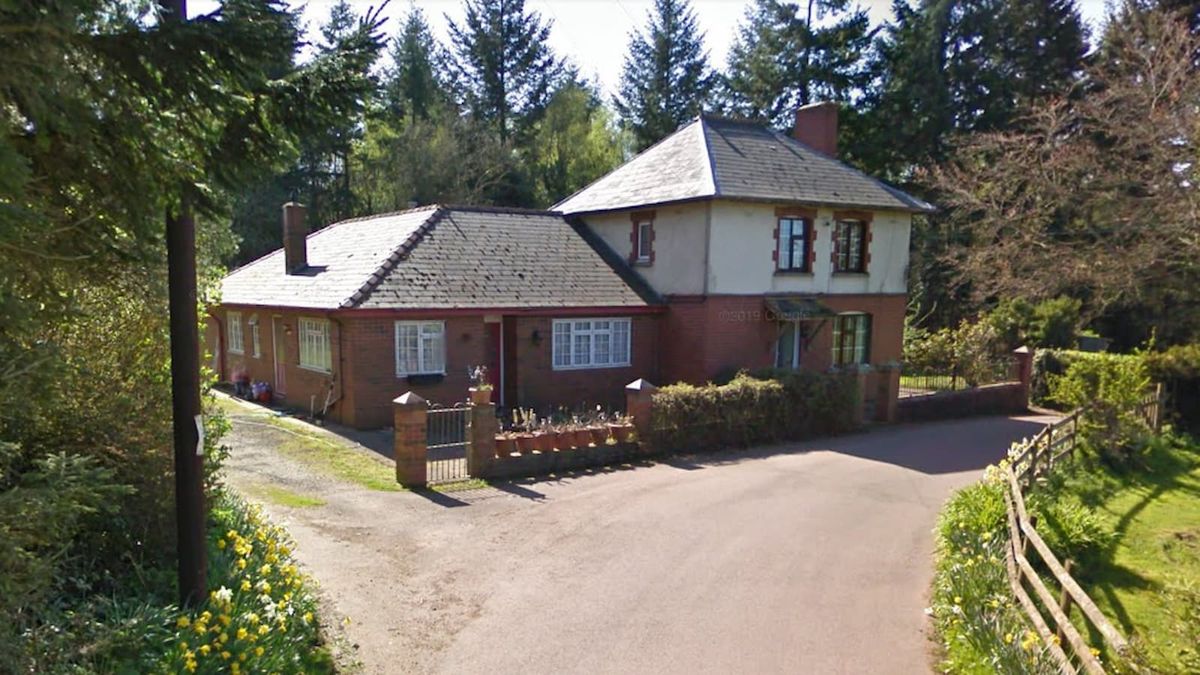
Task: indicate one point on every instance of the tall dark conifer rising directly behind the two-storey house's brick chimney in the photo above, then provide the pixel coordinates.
(782, 59)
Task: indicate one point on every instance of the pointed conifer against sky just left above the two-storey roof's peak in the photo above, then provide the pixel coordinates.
(667, 79)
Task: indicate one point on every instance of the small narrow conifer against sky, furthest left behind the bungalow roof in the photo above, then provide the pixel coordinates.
(412, 87)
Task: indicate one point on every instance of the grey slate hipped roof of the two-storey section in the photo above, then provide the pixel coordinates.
(730, 159)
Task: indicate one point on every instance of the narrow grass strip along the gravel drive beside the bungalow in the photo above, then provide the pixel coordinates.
(319, 453)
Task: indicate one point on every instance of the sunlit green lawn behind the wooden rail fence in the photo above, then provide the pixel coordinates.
(1147, 580)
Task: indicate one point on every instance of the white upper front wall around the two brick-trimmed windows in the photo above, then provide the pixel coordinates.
(743, 246)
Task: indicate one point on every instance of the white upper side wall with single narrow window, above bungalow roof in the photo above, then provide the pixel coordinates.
(680, 246)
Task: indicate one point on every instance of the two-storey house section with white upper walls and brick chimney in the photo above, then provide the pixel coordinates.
(766, 249)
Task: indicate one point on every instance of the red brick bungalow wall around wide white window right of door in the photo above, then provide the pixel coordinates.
(543, 389)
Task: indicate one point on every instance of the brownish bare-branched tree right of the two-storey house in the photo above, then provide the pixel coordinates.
(1094, 196)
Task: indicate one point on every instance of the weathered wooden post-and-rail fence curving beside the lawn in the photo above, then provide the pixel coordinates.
(1055, 444)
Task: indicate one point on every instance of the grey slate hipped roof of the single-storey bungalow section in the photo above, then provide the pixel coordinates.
(446, 258)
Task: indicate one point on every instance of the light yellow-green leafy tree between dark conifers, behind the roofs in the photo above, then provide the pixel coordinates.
(573, 145)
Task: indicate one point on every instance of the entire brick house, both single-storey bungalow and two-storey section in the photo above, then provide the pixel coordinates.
(727, 246)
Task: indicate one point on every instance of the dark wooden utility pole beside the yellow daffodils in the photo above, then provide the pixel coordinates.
(185, 386)
